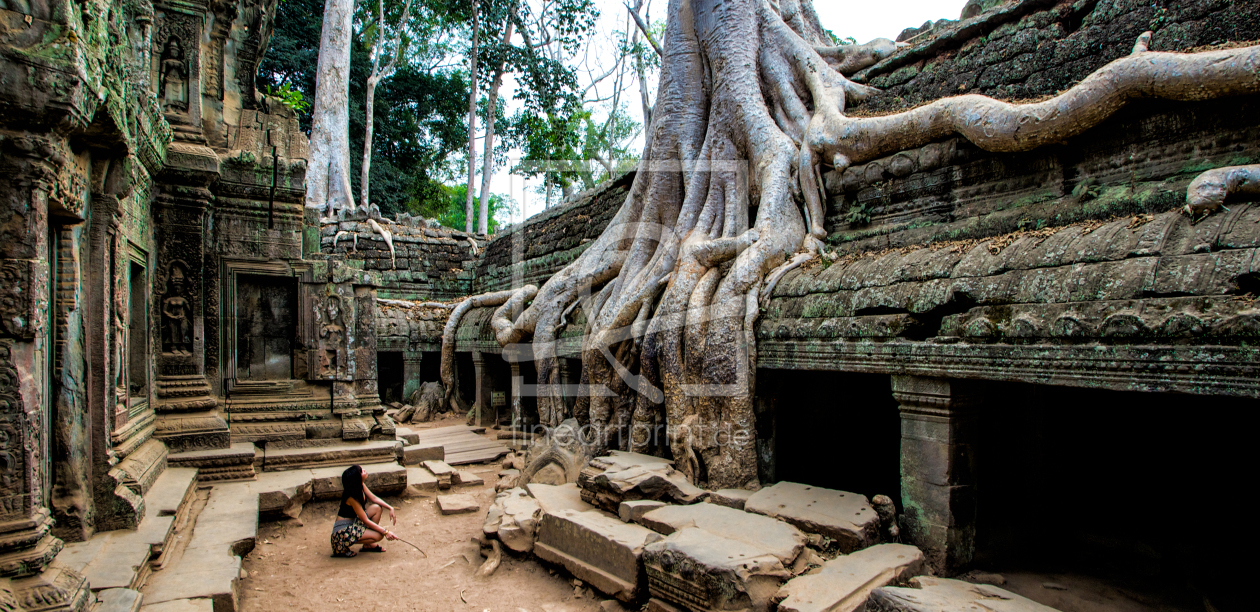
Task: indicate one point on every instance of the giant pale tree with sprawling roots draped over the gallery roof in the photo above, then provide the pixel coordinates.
(729, 197)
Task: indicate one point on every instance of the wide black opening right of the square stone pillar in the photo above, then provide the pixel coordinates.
(1142, 490)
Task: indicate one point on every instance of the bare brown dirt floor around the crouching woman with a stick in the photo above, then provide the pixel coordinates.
(292, 569)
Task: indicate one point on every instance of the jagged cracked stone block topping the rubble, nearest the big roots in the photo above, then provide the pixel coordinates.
(627, 477)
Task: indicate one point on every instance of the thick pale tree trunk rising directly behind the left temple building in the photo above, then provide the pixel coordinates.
(328, 173)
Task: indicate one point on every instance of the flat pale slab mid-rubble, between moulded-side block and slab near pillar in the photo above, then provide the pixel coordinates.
(764, 533)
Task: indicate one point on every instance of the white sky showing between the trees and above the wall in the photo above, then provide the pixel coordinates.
(861, 20)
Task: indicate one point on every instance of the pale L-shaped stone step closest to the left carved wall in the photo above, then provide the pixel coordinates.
(123, 558)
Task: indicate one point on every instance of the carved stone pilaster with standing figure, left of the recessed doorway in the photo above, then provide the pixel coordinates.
(188, 417)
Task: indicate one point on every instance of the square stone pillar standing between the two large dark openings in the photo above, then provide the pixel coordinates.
(938, 469)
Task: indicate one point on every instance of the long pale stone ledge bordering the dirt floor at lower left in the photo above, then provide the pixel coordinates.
(210, 569)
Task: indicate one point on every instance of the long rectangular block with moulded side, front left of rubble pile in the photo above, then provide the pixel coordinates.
(597, 548)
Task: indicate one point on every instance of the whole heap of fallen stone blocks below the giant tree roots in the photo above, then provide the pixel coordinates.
(634, 530)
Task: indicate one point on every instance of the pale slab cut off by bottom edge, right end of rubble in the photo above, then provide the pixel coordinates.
(932, 595)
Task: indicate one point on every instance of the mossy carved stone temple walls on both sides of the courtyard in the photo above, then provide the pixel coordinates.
(1000, 342)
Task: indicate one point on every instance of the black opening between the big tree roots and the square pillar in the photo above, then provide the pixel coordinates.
(836, 430)
